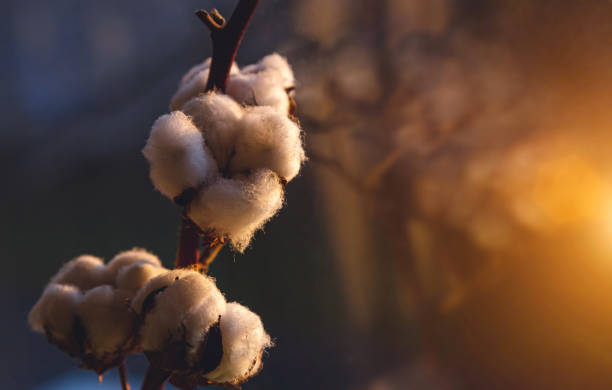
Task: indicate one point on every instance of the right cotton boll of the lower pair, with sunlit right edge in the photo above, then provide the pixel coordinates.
(190, 331)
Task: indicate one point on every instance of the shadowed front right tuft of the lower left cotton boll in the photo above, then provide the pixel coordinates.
(107, 320)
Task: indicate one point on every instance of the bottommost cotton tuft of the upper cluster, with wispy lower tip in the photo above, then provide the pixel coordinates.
(236, 208)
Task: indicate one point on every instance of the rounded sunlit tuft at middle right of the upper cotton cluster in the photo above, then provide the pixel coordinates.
(267, 139)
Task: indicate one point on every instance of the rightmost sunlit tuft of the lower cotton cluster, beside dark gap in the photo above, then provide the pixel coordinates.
(244, 340)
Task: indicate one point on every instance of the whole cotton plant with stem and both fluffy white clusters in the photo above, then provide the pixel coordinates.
(224, 153)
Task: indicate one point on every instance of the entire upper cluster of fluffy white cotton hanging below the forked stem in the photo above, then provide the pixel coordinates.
(229, 155)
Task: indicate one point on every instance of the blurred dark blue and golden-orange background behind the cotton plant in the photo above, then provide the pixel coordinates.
(452, 229)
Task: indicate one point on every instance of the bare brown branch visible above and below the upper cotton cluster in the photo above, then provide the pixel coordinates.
(226, 38)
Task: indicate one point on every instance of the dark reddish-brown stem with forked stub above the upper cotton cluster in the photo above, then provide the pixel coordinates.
(226, 38)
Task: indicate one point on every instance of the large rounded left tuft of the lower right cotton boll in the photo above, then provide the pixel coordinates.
(167, 300)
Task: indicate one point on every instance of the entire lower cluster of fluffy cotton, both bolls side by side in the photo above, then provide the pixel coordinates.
(100, 312)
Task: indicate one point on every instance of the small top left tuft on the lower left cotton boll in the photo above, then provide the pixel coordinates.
(84, 272)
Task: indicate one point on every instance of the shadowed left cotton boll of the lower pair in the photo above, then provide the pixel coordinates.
(85, 308)
